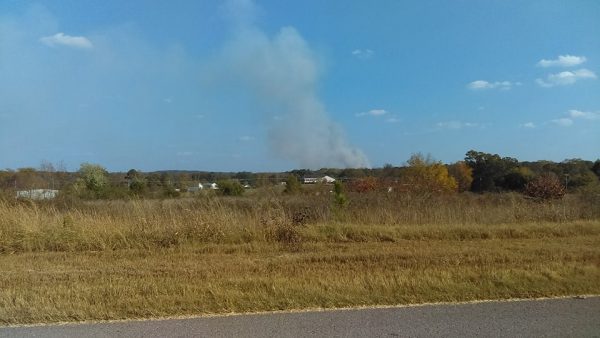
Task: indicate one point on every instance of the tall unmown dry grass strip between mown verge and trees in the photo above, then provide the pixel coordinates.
(27, 226)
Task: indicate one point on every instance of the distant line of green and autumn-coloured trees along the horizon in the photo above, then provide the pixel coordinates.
(479, 172)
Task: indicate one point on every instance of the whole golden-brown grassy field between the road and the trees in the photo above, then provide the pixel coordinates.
(134, 259)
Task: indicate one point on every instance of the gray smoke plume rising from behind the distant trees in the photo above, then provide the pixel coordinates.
(281, 72)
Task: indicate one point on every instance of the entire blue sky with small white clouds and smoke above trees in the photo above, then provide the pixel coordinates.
(277, 85)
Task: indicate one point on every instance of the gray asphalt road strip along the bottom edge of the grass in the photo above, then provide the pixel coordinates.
(541, 318)
